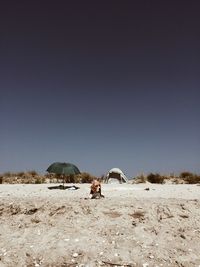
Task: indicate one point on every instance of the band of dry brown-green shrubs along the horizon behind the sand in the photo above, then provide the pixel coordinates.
(32, 177)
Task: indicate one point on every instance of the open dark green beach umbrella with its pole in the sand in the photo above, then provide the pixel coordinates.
(63, 169)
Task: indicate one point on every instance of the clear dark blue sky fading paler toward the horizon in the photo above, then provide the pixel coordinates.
(100, 85)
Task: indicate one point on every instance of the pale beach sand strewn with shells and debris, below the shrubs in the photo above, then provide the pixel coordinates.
(131, 226)
